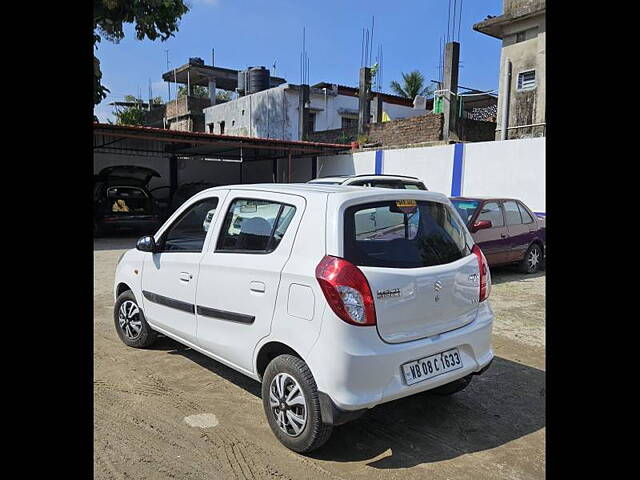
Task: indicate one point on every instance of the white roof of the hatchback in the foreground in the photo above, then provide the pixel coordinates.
(346, 191)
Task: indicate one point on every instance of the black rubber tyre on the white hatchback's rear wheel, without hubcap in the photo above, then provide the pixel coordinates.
(314, 433)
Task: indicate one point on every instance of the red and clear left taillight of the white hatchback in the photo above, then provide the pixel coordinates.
(346, 290)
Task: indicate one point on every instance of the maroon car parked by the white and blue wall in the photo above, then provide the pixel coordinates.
(505, 229)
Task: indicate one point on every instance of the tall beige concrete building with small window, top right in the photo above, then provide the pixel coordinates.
(521, 100)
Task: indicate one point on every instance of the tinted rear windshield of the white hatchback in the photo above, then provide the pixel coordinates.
(403, 234)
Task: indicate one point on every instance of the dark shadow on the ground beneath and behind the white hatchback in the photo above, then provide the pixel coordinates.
(507, 402)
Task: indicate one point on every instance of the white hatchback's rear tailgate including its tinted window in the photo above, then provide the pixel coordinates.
(418, 262)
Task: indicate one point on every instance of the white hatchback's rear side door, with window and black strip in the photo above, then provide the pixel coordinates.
(240, 272)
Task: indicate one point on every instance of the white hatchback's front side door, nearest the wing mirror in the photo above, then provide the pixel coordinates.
(169, 276)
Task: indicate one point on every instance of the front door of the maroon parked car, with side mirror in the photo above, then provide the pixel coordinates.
(494, 241)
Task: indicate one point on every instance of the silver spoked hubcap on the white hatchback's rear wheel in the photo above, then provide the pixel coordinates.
(288, 404)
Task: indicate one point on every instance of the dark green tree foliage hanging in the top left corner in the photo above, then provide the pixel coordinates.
(152, 18)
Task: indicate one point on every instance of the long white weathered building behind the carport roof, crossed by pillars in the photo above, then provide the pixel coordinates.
(275, 112)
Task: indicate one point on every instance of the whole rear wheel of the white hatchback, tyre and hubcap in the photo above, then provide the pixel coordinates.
(292, 405)
